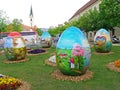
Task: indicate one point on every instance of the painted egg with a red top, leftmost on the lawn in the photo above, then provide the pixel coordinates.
(14, 46)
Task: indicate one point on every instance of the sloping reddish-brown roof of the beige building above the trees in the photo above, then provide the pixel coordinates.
(84, 8)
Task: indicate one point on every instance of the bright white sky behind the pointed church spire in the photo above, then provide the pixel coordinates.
(46, 13)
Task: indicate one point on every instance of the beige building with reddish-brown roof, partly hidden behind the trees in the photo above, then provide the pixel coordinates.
(90, 6)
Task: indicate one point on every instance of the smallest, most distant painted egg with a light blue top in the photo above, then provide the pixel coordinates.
(46, 40)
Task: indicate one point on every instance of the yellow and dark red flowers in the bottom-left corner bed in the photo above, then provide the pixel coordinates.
(9, 83)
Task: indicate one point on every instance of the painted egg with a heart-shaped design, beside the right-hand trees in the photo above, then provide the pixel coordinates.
(102, 41)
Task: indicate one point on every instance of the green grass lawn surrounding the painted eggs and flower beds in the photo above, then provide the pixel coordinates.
(38, 74)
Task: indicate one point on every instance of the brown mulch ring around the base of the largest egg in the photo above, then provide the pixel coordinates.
(58, 75)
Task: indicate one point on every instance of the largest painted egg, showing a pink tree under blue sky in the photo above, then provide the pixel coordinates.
(73, 52)
